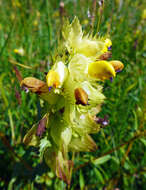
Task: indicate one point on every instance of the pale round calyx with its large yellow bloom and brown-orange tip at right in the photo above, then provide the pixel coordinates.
(82, 68)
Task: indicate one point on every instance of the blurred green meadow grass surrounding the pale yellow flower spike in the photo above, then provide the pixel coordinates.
(35, 26)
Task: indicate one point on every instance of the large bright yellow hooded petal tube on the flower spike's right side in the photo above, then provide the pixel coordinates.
(101, 70)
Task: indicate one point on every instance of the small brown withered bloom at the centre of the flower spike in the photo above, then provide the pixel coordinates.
(81, 96)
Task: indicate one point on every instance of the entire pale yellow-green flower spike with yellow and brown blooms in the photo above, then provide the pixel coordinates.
(74, 98)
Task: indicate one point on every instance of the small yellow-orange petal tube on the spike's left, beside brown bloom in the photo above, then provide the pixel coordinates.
(53, 79)
